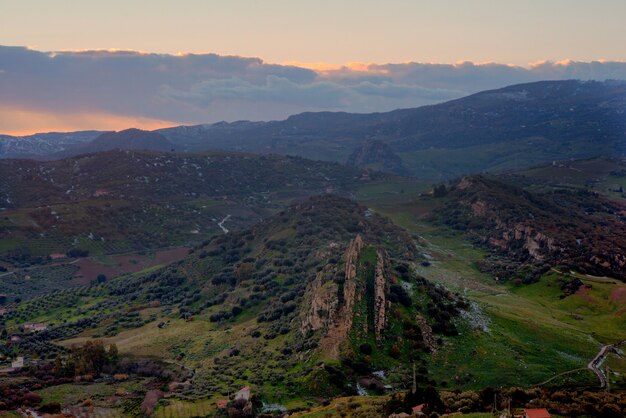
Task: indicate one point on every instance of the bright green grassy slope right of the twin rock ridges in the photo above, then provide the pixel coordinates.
(532, 333)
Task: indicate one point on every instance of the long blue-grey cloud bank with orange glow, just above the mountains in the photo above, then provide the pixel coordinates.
(147, 89)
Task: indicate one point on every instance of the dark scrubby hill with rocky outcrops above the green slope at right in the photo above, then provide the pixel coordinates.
(580, 230)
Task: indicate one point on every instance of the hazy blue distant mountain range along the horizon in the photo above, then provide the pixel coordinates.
(510, 128)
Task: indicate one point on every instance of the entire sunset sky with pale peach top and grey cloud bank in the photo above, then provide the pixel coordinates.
(192, 61)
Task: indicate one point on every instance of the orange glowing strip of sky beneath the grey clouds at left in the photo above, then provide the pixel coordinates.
(20, 121)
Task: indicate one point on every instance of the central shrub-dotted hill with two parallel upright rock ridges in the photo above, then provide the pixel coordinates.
(308, 302)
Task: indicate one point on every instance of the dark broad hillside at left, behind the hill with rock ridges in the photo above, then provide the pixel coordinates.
(118, 202)
